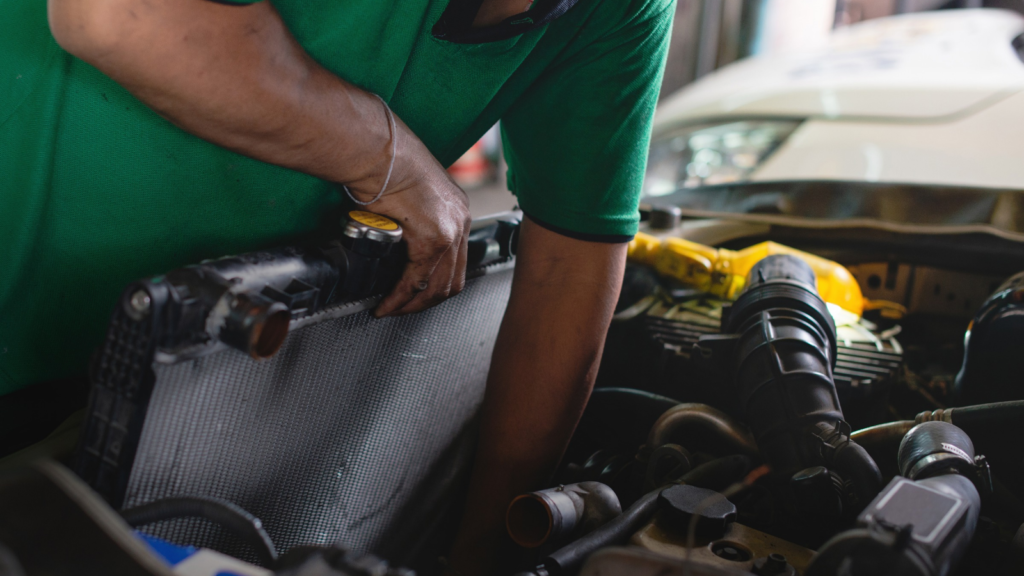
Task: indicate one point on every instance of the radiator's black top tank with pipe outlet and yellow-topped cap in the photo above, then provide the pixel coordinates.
(247, 302)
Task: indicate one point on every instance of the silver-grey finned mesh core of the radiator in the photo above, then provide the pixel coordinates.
(360, 431)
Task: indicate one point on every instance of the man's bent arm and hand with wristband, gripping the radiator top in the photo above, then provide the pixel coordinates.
(235, 76)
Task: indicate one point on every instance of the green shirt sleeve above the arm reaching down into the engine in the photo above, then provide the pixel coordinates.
(577, 141)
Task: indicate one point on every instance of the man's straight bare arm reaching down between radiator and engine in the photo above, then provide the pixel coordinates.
(545, 362)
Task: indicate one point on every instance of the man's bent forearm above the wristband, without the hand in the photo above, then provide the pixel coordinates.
(232, 75)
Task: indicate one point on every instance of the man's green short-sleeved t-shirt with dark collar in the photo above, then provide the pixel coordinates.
(98, 191)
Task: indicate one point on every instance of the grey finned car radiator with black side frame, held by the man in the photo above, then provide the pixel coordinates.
(206, 420)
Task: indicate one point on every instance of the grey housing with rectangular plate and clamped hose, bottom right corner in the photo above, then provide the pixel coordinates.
(920, 525)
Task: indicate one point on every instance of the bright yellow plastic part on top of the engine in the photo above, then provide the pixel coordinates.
(723, 273)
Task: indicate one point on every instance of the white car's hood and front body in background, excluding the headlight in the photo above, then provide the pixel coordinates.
(931, 98)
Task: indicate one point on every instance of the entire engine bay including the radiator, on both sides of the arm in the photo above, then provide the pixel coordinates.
(773, 400)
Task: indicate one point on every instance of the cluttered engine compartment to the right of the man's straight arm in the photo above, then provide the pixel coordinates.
(770, 434)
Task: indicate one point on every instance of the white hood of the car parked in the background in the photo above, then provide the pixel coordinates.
(923, 66)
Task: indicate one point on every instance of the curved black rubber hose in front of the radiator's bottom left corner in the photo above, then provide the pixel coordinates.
(236, 520)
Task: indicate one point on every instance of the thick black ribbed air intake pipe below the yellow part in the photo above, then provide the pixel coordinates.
(777, 356)
